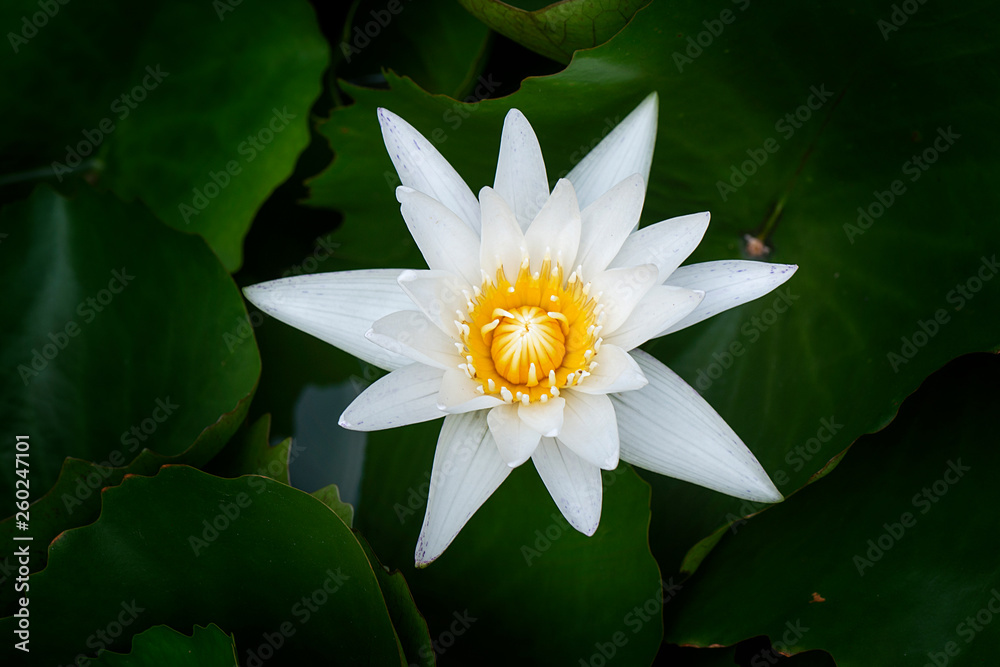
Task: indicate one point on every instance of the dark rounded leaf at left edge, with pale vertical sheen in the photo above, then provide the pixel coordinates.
(111, 359)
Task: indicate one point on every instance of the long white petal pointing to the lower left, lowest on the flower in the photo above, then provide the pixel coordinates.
(467, 470)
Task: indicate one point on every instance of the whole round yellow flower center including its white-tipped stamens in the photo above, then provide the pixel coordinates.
(526, 340)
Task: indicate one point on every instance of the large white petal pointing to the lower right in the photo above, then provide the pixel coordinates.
(669, 429)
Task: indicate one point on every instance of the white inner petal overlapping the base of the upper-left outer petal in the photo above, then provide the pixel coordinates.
(445, 241)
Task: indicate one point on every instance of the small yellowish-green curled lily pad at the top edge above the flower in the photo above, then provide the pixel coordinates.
(559, 29)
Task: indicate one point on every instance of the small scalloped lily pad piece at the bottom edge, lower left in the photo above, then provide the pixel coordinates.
(206, 647)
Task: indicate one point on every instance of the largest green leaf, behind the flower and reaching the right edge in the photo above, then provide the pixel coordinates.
(802, 373)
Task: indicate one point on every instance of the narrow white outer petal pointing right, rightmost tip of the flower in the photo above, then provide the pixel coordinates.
(726, 284)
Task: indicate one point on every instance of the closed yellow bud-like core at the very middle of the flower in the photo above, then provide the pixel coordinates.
(527, 343)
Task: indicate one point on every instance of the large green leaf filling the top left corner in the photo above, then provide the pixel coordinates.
(200, 109)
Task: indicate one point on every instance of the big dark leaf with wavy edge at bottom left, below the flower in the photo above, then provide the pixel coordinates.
(265, 562)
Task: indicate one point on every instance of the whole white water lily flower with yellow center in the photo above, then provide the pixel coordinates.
(524, 332)
